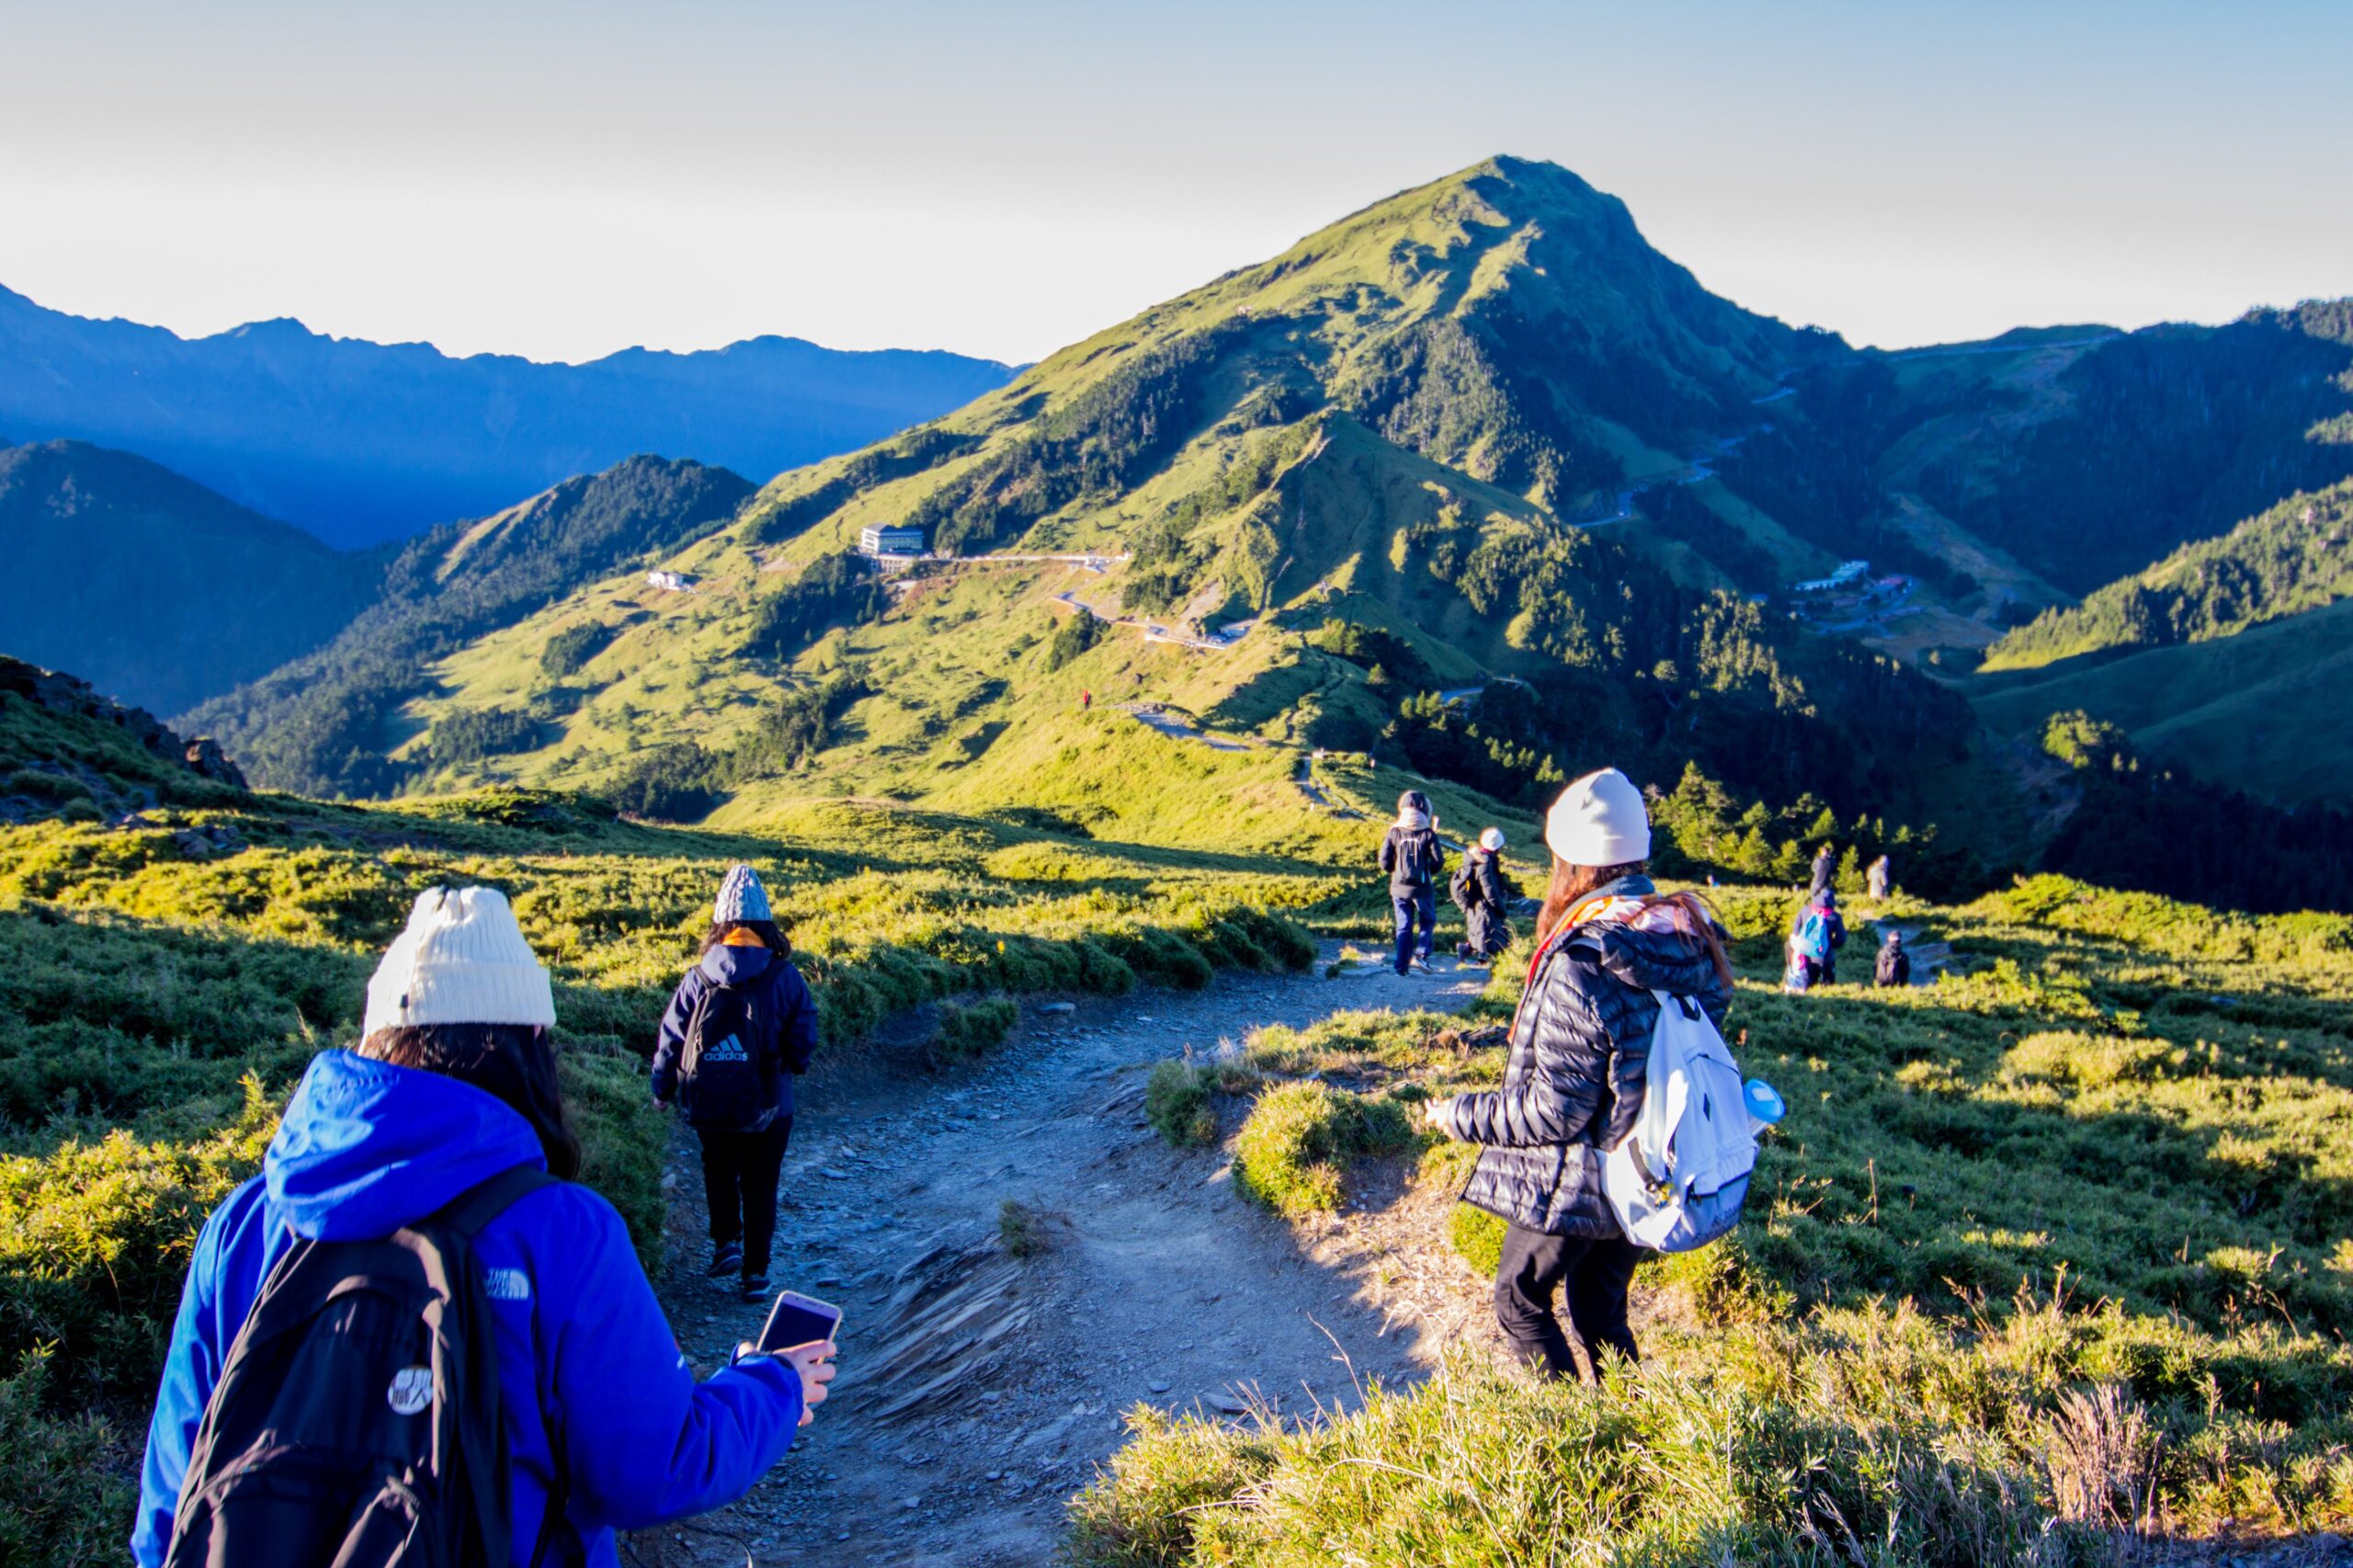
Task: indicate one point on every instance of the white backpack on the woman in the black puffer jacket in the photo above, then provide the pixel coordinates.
(1679, 1178)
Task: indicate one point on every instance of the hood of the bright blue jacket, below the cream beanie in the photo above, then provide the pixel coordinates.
(368, 1148)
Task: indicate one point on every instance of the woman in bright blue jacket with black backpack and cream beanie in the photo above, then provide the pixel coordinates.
(309, 1407)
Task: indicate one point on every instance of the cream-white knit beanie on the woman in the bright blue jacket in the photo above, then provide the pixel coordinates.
(460, 962)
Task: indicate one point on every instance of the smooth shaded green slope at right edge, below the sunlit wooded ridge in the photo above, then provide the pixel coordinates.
(2260, 712)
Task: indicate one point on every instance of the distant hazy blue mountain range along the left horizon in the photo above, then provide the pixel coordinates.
(366, 441)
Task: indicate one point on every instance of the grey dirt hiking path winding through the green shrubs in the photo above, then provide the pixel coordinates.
(980, 1390)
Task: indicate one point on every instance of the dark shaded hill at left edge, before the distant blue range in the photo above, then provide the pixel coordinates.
(154, 587)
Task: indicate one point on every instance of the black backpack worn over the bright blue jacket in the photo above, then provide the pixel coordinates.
(359, 1416)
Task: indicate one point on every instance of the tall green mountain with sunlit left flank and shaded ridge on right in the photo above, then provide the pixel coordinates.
(1484, 432)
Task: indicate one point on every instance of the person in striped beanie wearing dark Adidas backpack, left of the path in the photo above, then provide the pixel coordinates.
(740, 1028)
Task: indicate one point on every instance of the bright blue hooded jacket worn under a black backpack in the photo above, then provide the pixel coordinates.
(582, 1343)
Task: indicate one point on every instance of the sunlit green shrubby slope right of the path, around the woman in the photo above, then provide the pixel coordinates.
(2046, 1265)
